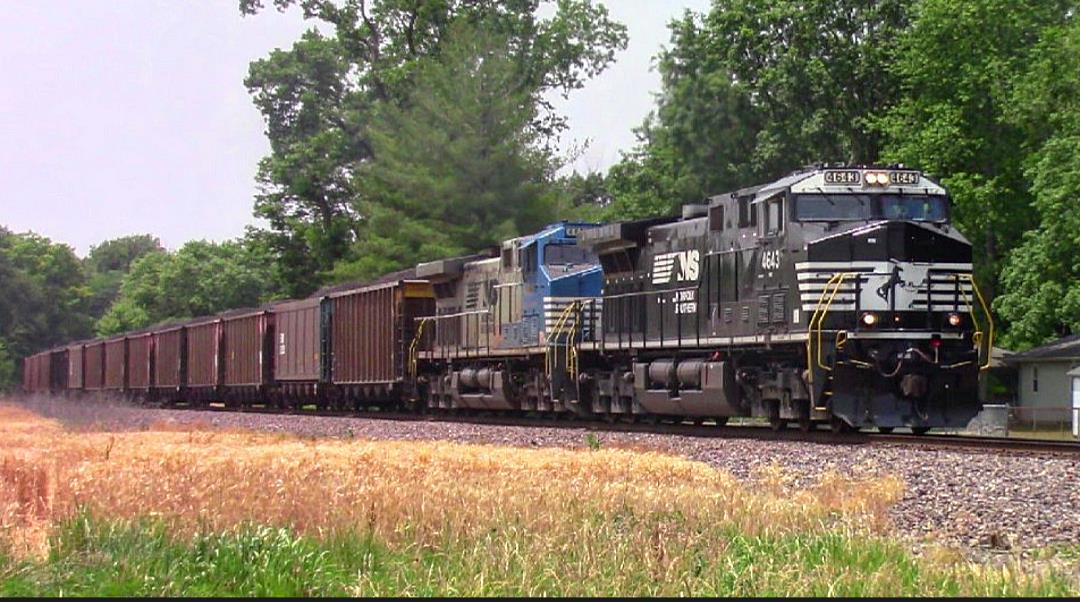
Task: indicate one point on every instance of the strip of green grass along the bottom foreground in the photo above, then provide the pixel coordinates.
(115, 559)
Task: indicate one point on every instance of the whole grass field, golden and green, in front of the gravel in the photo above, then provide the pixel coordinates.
(208, 513)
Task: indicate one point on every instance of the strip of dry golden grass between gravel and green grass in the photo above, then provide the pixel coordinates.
(415, 492)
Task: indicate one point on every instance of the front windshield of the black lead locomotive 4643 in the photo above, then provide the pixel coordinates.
(842, 208)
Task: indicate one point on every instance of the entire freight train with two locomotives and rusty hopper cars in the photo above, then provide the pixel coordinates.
(840, 297)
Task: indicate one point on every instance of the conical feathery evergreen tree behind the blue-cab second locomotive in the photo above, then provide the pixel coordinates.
(462, 167)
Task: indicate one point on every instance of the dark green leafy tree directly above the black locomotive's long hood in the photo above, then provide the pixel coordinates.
(755, 89)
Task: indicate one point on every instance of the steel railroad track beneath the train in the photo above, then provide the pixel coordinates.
(685, 430)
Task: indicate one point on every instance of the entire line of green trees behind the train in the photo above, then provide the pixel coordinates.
(408, 130)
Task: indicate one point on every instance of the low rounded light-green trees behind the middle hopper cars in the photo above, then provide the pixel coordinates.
(201, 279)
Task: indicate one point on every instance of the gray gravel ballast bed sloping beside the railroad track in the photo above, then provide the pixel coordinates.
(979, 500)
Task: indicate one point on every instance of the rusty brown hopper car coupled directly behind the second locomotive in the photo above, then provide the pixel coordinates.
(372, 333)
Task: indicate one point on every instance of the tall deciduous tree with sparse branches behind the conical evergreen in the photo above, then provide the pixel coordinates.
(320, 98)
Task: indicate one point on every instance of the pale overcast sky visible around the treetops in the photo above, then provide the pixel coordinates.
(124, 117)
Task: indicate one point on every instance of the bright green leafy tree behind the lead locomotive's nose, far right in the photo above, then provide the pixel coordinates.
(958, 63)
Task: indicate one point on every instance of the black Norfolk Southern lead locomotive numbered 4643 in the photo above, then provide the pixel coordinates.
(839, 296)
